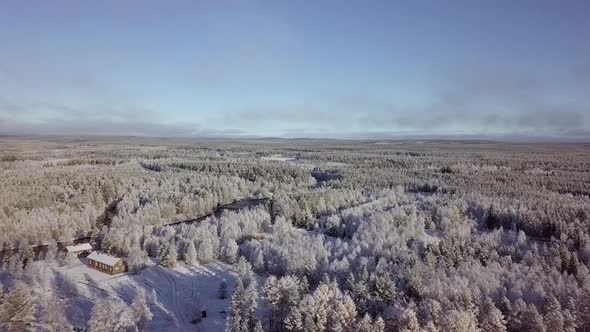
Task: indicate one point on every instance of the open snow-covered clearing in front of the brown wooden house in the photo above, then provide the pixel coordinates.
(182, 293)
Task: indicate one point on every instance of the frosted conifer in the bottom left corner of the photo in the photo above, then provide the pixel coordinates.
(17, 311)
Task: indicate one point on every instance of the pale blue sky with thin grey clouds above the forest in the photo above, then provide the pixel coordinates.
(339, 69)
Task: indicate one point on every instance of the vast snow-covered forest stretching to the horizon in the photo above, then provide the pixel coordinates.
(353, 235)
